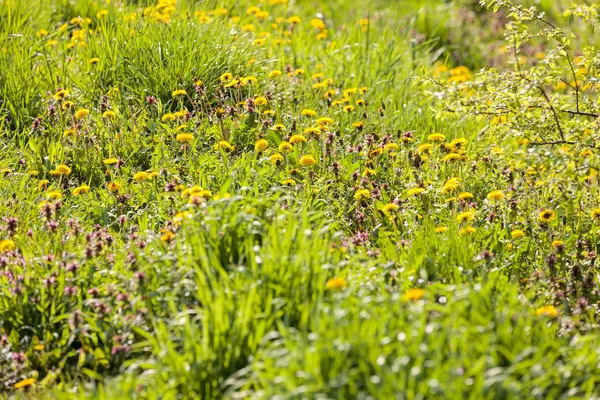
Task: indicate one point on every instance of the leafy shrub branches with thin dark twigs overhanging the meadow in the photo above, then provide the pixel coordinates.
(550, 98)
